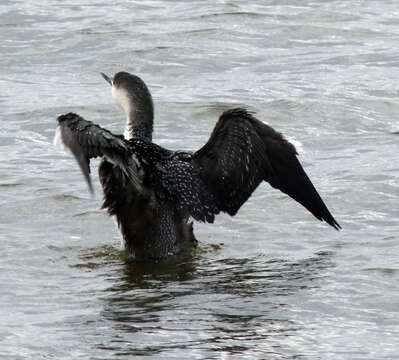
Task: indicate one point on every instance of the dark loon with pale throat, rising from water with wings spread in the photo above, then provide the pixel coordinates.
(155, 194)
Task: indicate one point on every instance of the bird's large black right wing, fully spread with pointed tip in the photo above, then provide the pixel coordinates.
(242, 152)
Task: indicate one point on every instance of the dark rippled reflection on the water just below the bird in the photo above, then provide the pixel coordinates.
(206, 305)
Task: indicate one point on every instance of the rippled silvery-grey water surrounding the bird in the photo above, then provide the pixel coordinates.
(271, 283)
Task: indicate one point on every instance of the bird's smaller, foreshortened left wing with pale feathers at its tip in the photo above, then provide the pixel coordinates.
(86, 140)
